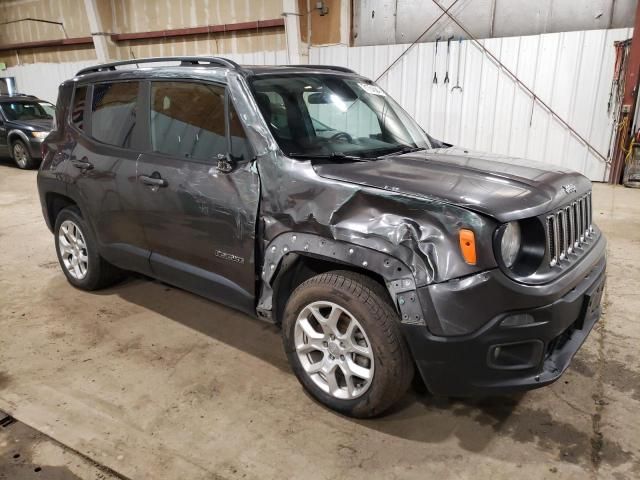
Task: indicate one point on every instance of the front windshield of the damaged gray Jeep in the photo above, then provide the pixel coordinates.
(327, 115)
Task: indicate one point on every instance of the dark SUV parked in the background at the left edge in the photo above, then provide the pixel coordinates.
(25, 121)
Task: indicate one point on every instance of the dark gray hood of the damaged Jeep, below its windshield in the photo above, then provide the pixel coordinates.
(502, 187)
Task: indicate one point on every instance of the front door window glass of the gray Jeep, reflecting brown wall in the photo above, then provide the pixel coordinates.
(188, 120)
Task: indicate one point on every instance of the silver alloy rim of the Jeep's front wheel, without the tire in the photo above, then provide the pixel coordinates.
(334, 350)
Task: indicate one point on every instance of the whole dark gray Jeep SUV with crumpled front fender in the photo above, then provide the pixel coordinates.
(305, 196)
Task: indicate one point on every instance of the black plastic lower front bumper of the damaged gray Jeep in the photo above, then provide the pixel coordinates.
(519, 349)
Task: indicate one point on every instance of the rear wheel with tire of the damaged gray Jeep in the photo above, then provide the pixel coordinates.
(77, 252)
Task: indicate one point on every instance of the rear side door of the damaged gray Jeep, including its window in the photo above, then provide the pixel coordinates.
(106, 139)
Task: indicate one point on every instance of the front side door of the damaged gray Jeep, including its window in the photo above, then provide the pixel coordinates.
(200, 222)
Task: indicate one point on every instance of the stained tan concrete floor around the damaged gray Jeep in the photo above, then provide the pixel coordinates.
(156, 383)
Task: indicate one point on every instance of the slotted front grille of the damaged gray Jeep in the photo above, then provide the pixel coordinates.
(568, 229)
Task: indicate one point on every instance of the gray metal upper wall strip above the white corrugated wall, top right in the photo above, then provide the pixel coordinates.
(382, 22)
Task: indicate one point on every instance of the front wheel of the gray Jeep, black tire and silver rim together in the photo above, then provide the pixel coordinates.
(343, 341)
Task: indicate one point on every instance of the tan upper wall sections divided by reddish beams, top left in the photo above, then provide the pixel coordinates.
(128, 16)
